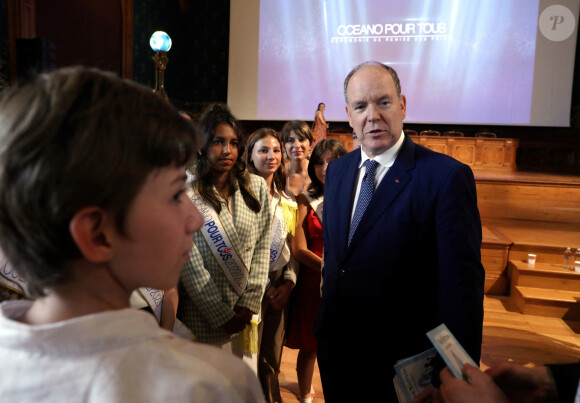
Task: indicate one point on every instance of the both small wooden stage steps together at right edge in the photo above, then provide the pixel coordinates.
(545, 289)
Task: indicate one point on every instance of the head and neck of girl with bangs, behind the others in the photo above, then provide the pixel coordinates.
(297, 140)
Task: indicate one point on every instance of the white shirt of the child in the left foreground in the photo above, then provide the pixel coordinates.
(114, 356)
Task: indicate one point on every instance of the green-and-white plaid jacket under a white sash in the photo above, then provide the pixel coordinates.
(206, 297)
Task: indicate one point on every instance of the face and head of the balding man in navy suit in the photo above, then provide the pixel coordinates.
(375, 111)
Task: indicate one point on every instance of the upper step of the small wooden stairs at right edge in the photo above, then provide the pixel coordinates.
(543, 276)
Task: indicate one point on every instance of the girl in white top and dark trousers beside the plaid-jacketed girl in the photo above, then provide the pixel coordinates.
(264, 157)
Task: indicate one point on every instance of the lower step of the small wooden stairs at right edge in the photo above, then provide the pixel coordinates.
(544, 302)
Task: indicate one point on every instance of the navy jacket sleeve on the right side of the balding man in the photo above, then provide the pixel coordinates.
(461, 274)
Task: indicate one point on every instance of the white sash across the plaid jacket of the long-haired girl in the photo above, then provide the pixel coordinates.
(220, 245)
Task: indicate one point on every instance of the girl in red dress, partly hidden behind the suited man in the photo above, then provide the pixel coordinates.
(307, 248)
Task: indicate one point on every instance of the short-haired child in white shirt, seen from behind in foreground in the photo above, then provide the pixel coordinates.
(93, 206)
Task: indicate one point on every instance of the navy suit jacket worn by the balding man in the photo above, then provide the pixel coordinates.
(413, 263)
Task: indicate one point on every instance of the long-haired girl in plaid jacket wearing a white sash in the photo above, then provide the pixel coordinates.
(222, 284)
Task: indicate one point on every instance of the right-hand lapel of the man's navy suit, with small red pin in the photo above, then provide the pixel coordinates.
(389, 189)
